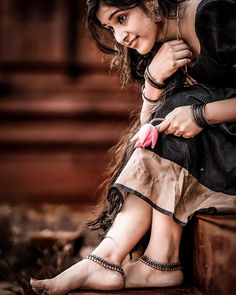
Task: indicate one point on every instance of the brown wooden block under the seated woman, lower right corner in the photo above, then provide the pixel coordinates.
(214, 254)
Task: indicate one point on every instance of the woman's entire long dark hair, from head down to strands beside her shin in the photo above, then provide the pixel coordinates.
(134, 64)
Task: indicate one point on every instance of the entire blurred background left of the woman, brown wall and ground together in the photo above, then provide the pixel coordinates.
(60, 112)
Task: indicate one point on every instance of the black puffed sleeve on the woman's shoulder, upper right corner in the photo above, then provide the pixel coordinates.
(216, 29)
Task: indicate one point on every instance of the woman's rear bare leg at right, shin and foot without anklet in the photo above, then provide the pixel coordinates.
(163, 247)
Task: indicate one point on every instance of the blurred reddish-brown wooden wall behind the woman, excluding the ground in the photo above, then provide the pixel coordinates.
(60, 109)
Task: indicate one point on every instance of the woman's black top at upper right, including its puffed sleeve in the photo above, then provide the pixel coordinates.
(215, 26)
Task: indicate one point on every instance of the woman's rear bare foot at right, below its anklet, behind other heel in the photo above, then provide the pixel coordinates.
(139, 275)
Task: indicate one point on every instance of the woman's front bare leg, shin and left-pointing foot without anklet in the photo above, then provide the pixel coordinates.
(129, 226)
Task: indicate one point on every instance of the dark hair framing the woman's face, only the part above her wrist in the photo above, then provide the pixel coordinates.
(129, 63)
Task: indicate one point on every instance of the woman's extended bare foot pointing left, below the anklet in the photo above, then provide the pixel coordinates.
(85, 274)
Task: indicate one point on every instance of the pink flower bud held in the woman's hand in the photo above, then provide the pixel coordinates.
(147, 135)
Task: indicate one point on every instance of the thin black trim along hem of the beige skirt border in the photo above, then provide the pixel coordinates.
(146, 199)
